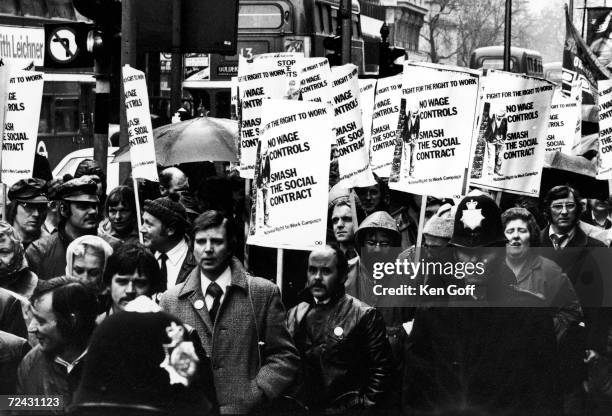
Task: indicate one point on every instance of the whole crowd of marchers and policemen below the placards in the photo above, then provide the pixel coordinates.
(166, 319)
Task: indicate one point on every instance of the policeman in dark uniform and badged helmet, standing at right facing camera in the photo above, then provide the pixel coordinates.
(489, 350)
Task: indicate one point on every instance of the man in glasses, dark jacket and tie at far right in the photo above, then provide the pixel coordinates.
(571, 249)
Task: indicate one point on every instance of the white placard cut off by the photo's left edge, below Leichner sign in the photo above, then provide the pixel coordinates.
(22, 113)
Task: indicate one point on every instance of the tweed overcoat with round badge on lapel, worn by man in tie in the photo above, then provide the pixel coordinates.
(251, 351)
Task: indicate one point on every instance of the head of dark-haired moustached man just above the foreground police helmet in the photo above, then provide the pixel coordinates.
(131, 271)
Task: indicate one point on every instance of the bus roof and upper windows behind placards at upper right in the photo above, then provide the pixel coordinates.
(522, 61)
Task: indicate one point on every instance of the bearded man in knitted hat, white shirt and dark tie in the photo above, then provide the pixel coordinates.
(164, 224)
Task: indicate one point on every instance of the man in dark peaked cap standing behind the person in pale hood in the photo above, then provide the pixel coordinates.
(78, 211)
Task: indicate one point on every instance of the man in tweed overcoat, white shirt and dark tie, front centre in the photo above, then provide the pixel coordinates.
(239, 319)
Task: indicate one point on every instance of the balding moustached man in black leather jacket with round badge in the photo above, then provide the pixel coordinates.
(334, 325)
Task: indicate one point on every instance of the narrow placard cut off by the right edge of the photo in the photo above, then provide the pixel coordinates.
(604, 159)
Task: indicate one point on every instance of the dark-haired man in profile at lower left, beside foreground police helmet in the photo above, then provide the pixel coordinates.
(63, 319)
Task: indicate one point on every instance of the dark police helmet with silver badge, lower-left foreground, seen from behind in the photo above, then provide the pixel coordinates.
(144, 362)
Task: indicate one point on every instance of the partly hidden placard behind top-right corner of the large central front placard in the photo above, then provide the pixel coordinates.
(313, 76)
